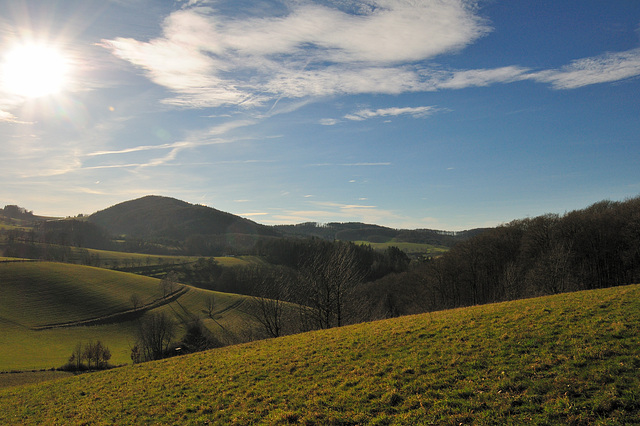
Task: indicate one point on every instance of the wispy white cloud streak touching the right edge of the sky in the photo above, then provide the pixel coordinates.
(600, 69)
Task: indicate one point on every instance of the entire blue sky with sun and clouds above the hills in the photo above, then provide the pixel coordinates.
(441, 114)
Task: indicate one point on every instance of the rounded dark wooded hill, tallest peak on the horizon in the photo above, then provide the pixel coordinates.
(154, 217)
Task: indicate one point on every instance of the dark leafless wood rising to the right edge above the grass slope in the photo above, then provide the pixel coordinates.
(584, 249)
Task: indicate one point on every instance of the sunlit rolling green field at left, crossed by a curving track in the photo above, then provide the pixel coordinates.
(36, 295)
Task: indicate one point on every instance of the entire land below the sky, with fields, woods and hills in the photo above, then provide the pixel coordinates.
(533, 321)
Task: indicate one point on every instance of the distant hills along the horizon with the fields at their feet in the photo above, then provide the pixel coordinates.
(163, 225)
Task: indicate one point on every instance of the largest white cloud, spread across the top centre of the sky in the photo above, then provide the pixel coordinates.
(314, 50)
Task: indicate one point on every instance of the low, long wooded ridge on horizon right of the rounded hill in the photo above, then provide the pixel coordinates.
(356, 231)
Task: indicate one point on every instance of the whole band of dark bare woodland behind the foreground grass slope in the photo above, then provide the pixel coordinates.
(335, 283)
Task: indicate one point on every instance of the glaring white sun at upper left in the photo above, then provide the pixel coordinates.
(34, 70)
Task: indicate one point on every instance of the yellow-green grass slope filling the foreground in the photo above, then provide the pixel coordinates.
(566, 359)
